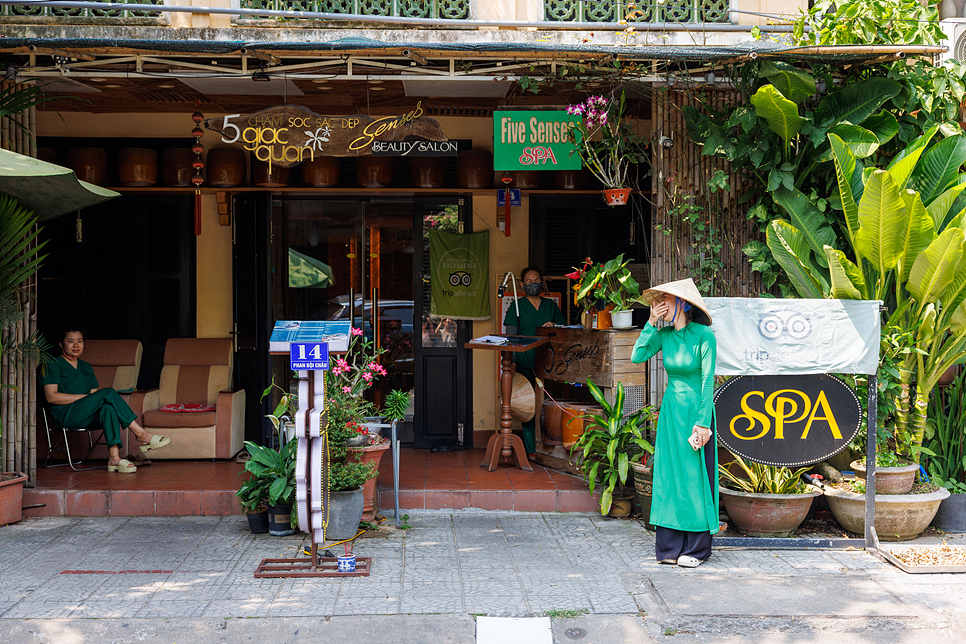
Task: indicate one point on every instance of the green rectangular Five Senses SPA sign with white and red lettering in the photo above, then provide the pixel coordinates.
(534, 141)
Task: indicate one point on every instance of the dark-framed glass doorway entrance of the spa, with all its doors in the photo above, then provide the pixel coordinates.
(367, 260)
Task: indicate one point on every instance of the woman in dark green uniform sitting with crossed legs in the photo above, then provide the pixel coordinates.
(76, 401)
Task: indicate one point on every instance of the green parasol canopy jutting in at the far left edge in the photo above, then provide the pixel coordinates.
(47, 189)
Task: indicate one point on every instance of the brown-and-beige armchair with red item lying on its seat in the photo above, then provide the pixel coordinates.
(197, 371)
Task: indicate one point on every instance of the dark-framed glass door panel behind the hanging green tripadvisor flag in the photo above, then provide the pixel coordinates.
(443, 368)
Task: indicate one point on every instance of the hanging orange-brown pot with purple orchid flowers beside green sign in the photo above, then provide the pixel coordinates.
(607, 143)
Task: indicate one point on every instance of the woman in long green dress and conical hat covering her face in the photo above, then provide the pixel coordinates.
(684, 506)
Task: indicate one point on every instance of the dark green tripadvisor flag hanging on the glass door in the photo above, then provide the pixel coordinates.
(458, 270)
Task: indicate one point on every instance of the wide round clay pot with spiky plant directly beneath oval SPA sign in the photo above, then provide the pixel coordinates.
(766, 500)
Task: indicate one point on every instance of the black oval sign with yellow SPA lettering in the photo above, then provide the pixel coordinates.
(786, 420)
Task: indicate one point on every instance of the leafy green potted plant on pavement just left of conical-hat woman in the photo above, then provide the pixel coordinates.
(610, 442)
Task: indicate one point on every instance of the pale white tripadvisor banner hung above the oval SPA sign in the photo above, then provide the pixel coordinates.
(767, 336)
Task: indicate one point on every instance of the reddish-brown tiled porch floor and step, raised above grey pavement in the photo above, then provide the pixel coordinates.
(429, 481)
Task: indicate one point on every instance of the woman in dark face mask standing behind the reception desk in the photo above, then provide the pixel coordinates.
(534, 311)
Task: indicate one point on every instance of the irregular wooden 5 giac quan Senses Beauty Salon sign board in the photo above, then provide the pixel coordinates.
(286, 135)
